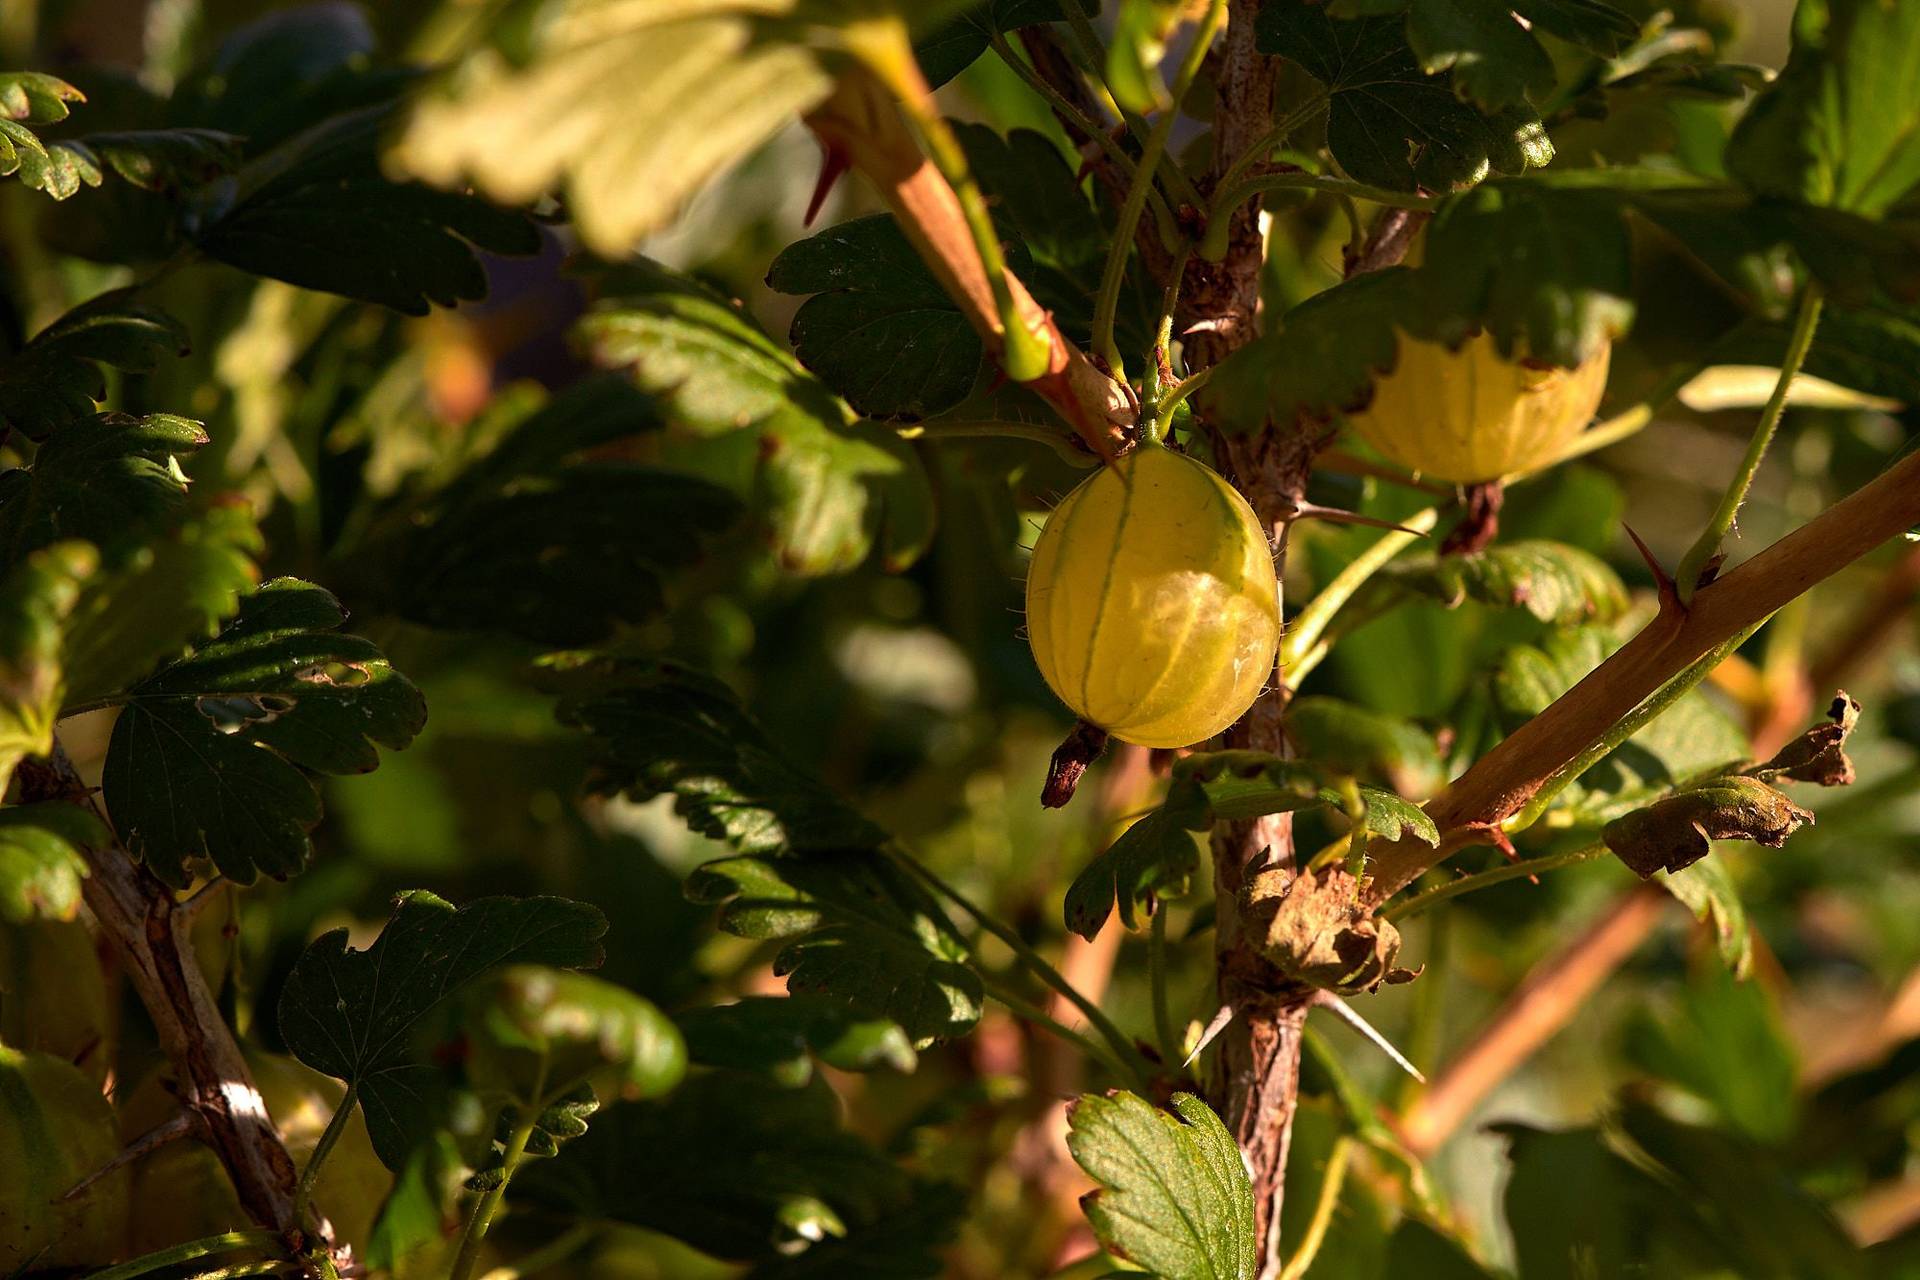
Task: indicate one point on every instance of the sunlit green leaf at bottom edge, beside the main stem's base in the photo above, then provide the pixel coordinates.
(1174, 1191)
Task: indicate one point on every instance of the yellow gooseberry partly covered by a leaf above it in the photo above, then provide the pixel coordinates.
(1476, 415)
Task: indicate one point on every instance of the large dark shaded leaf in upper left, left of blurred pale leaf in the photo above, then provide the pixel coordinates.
(322, 214)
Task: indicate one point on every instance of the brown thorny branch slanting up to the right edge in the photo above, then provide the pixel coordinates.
(1506, 778)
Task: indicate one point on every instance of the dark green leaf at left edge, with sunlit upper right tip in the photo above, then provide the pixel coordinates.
(107, 481)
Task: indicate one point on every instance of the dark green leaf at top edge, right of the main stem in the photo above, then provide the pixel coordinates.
(1389, 122)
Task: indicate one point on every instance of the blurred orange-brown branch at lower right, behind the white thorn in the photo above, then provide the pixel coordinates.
(1537, 1010)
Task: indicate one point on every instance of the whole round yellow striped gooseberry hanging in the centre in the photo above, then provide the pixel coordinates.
(1153, 607)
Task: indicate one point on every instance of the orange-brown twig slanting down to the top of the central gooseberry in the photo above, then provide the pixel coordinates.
(863, 124)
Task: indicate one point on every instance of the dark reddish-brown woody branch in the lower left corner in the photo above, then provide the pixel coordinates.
(151, 934)
